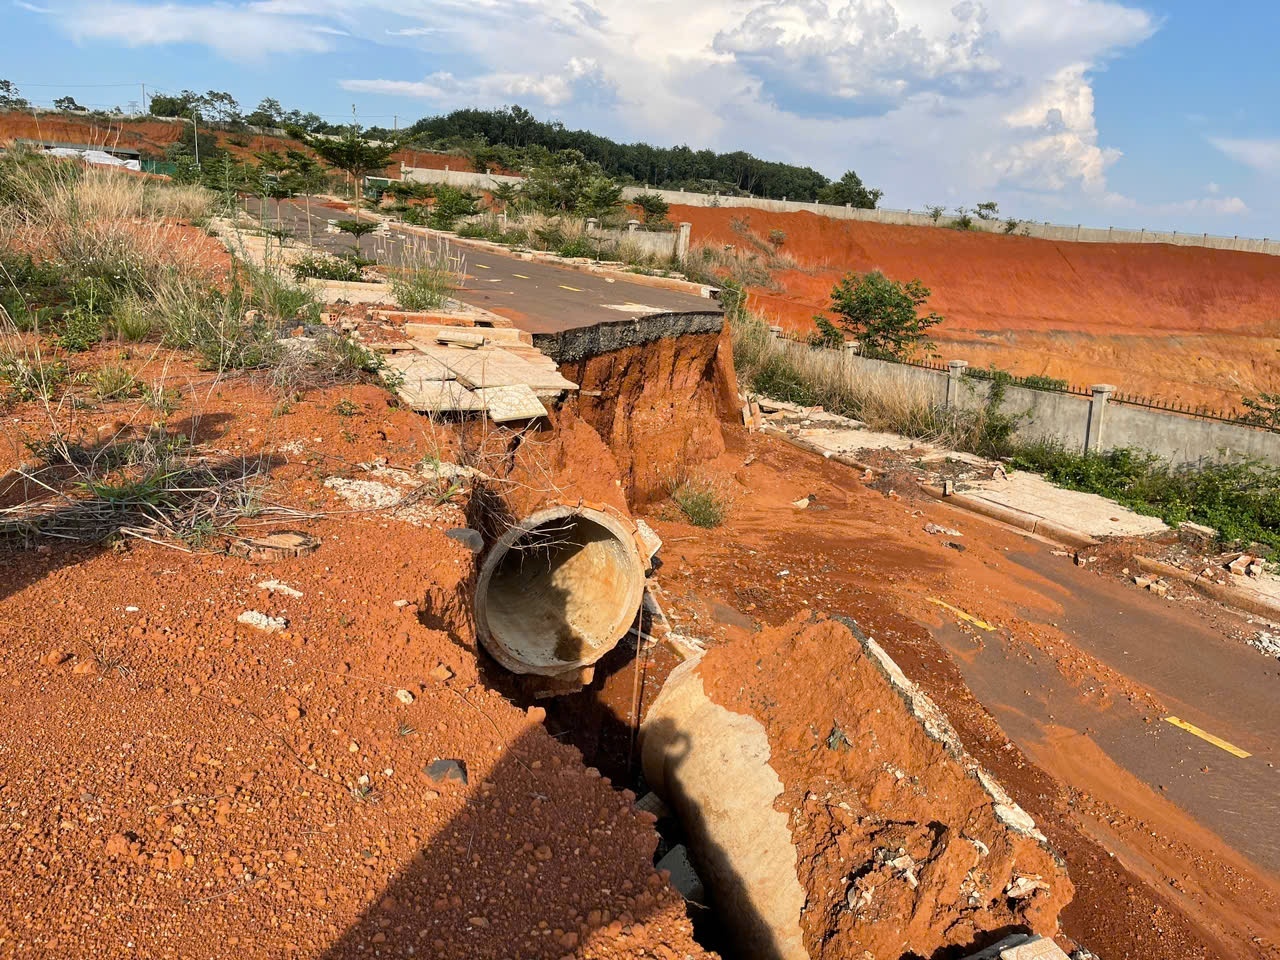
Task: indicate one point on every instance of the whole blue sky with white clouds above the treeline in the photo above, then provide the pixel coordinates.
(1096, 112)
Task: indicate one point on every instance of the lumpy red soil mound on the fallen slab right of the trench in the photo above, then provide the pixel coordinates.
(899, 848)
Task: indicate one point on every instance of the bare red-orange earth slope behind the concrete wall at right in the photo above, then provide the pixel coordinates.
(1186, 323)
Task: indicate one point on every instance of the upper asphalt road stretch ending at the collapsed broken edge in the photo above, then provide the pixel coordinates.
(536, 296)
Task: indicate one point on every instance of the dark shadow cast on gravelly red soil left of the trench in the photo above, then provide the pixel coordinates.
(525, 870)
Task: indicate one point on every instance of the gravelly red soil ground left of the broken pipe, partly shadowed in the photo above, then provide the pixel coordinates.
(177, 784)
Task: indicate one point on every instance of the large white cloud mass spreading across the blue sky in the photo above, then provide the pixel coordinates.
(934, 100)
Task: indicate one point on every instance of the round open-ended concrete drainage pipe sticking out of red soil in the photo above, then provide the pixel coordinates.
(559, 591)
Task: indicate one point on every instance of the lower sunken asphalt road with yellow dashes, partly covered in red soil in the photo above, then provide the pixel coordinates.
(1177, 652)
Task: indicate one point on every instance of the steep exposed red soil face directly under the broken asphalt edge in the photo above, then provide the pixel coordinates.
(659, 406)
